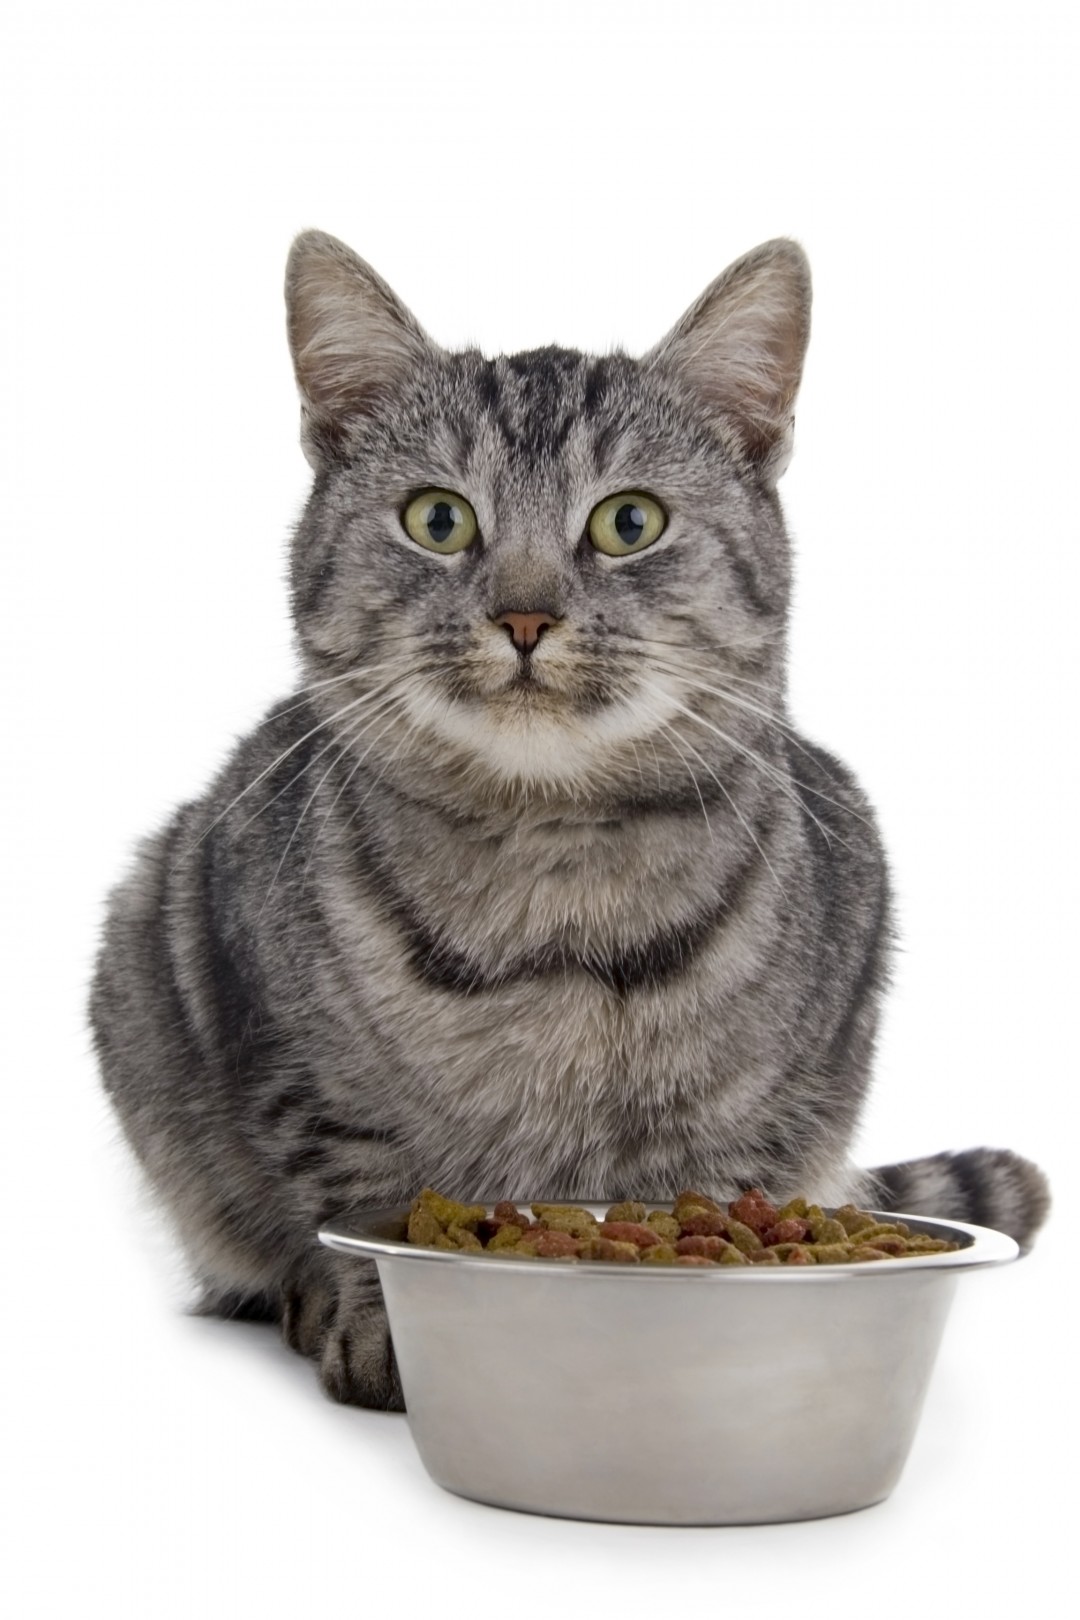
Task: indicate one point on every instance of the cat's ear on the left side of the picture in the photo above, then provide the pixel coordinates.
(351, 336)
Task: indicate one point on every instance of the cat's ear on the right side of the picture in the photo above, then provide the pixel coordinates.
(741, 347)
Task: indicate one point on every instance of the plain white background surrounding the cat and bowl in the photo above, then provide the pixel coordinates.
(525, 174)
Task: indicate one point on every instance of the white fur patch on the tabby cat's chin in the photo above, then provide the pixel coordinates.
(540, 744)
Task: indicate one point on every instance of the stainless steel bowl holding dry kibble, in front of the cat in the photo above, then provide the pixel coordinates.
(655, 1396)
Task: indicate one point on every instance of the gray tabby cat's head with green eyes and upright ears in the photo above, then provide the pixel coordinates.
(542, 563)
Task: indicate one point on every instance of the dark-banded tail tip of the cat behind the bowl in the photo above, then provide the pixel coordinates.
(989, 1187)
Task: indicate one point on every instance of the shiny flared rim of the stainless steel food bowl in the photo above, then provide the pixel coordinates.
(359, 1234)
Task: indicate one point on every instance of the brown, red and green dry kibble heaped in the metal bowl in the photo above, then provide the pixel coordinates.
(695, 1232)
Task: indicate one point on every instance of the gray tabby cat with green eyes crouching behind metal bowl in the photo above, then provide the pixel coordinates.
(530, 890)
